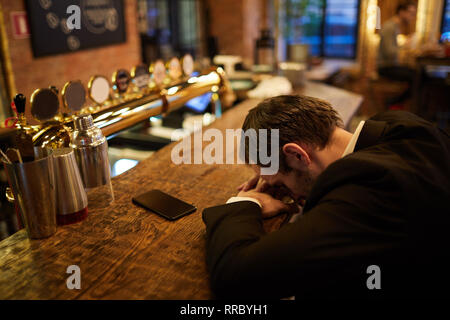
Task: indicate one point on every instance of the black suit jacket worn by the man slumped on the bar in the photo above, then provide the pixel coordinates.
(386, 204)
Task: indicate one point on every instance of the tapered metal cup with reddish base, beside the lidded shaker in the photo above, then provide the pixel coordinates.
(71, 198)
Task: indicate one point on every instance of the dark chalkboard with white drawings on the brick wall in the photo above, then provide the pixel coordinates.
(101, 23)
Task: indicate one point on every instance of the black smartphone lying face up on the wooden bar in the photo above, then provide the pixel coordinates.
(163, 204)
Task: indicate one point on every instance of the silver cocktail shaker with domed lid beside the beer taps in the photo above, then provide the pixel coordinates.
(91, 151)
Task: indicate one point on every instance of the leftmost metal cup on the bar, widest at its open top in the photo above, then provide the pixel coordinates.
(33, 187)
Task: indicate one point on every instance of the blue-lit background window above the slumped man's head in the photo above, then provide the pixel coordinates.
(329, 27)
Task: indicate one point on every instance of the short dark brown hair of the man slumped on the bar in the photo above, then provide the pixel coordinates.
(299, 118)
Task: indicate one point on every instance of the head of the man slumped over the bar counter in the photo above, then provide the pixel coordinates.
(305, 127)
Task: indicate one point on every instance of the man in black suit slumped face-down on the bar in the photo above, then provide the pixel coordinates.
(374, 198)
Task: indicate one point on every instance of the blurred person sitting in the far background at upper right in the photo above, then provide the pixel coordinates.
(388, 54)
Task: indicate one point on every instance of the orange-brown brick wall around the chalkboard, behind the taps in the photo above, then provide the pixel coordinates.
(31, 73)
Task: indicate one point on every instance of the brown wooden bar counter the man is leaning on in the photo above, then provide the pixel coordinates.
(126, 252)
